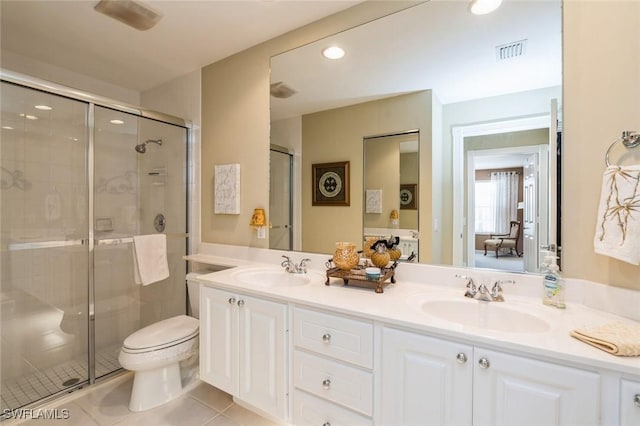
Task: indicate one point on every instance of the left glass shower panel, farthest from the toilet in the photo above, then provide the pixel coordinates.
(44, 231)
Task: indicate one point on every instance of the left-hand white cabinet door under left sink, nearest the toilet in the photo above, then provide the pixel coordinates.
(218, 339)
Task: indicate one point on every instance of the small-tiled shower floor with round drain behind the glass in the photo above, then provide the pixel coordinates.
(16, 393)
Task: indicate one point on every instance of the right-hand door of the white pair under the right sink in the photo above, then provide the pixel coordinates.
(511, 390)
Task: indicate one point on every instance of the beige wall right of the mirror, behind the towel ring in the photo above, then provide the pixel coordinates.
(602, 98)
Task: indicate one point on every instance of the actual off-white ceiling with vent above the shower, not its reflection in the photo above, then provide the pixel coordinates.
(190, 35)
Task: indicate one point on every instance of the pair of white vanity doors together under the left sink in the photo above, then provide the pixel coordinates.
(243, 348)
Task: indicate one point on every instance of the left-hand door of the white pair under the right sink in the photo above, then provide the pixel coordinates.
(425, 381)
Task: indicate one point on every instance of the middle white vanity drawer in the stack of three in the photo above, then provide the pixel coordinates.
(331, 380)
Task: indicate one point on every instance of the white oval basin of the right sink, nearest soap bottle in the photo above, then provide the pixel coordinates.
(494, 316)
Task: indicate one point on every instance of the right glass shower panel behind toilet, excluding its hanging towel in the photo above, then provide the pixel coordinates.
(139, 188)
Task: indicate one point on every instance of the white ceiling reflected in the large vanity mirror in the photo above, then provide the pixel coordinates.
(437, 45)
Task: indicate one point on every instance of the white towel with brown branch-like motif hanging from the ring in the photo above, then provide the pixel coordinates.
(618, 227)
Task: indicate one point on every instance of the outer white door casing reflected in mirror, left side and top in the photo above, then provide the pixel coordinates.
(460, 213)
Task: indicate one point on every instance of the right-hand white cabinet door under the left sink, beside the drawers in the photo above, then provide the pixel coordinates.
(262, 354)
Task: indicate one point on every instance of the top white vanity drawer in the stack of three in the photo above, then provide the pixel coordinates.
(335, 336)
